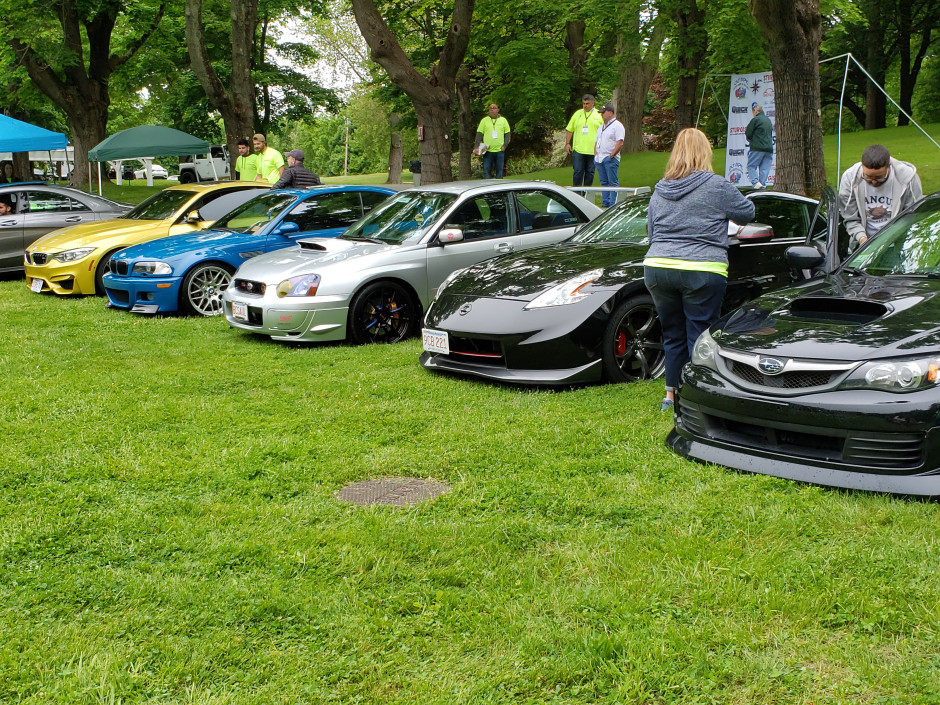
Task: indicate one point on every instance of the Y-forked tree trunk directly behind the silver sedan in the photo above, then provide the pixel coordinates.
(432, 97)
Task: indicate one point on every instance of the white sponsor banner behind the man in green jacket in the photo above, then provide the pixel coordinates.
(748, 89)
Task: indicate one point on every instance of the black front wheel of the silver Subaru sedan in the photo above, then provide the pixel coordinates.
(383, 312)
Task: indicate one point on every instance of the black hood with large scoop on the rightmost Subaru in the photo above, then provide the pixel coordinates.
(840, 317)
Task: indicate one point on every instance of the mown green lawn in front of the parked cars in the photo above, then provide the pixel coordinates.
(169, 533)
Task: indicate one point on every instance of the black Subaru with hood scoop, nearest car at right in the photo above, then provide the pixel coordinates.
(834, 382)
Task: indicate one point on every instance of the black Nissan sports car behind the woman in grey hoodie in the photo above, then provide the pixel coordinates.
(578, 311)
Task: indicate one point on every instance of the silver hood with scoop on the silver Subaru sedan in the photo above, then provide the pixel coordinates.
(319, 252)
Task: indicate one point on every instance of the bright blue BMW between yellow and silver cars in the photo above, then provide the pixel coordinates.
(188, 273)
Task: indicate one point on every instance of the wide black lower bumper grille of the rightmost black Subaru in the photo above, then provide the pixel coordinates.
(887, 451)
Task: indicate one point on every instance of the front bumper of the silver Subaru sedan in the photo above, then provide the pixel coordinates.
(302, 320)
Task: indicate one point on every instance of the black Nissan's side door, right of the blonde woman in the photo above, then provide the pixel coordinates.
(757, 267)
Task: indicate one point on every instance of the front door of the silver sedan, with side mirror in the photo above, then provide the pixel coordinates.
(488, 224)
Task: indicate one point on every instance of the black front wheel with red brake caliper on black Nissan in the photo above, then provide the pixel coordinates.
(633, 342)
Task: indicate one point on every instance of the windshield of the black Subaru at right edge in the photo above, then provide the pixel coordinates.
(909, 245)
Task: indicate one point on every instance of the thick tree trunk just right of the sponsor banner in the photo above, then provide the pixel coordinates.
(792, 30)
